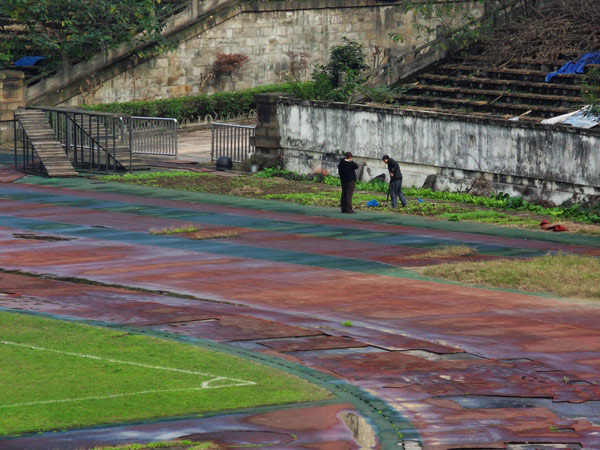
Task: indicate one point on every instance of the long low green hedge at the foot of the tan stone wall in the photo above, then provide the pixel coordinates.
(219, 106)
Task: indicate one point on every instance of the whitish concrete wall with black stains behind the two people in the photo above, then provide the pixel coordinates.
(535, 160)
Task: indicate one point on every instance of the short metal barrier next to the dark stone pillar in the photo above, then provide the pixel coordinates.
(235, 141)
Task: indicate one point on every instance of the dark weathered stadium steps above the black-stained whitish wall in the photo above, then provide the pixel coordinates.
(468, 85)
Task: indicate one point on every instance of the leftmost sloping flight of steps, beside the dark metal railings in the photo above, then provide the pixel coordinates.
(43, 140)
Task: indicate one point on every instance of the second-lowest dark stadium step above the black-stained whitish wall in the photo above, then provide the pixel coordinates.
(506, 95)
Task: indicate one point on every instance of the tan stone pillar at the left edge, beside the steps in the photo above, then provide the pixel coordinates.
(12, 97)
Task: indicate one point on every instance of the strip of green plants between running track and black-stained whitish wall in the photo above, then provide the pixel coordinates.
(320, 189)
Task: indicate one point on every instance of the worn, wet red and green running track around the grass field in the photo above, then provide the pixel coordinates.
(451, 366)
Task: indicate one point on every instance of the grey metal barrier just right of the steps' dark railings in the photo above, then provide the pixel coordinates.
(151, 135)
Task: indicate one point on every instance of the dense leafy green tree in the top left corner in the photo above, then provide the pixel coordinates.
(65, 31)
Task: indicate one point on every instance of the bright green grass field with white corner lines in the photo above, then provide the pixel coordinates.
(57, 375)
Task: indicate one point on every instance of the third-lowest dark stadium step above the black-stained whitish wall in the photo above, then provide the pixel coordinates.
(570, 90)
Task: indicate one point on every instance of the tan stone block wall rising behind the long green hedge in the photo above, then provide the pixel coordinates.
(264, 31)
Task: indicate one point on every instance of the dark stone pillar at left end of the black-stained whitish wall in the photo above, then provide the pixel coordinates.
(266, 137)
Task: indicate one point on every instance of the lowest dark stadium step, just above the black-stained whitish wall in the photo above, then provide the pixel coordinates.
(497, 108)
